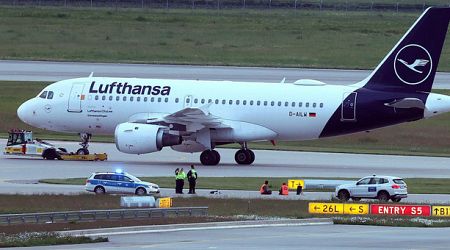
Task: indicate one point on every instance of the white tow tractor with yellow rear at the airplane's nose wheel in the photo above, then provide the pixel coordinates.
(21, 143)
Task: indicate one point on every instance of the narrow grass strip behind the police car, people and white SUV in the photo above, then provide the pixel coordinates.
(415, 185)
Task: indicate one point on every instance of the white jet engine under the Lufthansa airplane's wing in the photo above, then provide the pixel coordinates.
(136, 138)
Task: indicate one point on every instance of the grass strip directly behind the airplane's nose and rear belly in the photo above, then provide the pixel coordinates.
(425, 137)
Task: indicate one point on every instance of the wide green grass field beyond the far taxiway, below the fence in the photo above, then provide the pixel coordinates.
(324, 39)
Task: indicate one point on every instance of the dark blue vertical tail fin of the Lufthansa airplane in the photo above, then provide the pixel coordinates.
(411, 65)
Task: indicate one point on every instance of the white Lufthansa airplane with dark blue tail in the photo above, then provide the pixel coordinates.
(146, 115)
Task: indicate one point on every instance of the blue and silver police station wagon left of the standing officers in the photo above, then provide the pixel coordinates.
(119, 182)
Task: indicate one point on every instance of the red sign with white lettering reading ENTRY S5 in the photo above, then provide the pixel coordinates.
(408, 210)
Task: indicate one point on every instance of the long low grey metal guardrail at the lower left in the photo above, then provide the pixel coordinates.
(92, 215)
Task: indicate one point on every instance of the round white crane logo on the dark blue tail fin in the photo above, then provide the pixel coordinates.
(413, 64)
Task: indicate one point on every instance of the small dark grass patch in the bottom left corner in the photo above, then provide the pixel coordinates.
(44, 239)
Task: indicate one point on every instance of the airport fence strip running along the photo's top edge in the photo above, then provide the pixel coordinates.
(330, 5)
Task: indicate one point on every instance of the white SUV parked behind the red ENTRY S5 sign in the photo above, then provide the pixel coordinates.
(382, 188)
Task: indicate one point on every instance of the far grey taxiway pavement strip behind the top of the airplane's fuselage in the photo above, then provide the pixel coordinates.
(54, 71)
